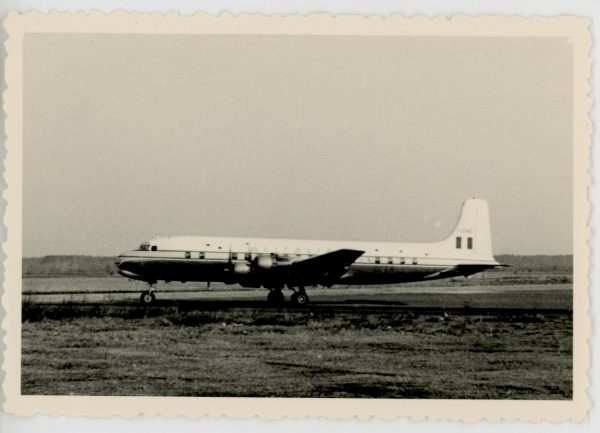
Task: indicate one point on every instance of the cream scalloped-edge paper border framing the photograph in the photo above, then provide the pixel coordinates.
(575, 29)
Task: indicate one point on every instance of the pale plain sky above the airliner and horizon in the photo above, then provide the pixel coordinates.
(366, 138)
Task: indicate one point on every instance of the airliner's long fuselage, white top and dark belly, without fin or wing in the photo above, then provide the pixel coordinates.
(211, 259)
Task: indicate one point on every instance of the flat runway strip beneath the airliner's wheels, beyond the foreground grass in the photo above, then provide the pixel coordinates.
(557, 297)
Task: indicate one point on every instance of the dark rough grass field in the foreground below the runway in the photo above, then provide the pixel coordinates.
(326, 351)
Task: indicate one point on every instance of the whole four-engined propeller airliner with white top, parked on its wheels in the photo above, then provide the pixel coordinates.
(277, 263)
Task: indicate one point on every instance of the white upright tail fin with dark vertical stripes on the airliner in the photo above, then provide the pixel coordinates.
(471, 236)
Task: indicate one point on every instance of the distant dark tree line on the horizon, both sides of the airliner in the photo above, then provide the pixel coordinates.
(105, 266)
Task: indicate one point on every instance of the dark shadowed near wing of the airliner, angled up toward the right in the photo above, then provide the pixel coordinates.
(324, 269)
